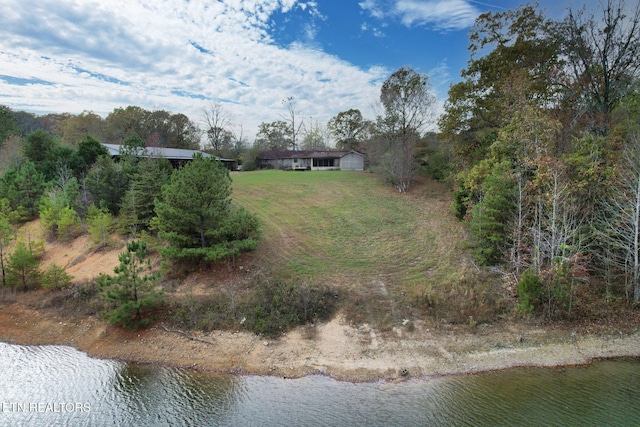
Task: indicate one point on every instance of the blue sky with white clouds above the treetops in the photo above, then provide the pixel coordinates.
(248, 56)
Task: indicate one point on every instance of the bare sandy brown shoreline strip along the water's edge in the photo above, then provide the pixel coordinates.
(333, 349)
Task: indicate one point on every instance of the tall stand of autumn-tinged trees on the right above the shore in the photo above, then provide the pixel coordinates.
(543, 134)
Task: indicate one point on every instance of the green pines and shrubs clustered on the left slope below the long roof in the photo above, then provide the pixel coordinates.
(81, 189)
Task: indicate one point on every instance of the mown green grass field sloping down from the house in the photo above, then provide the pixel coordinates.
(352, 231)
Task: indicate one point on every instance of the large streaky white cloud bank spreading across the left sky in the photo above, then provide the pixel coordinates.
(99, 55)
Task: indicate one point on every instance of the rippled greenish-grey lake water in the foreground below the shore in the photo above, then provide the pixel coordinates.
(57, 385)
